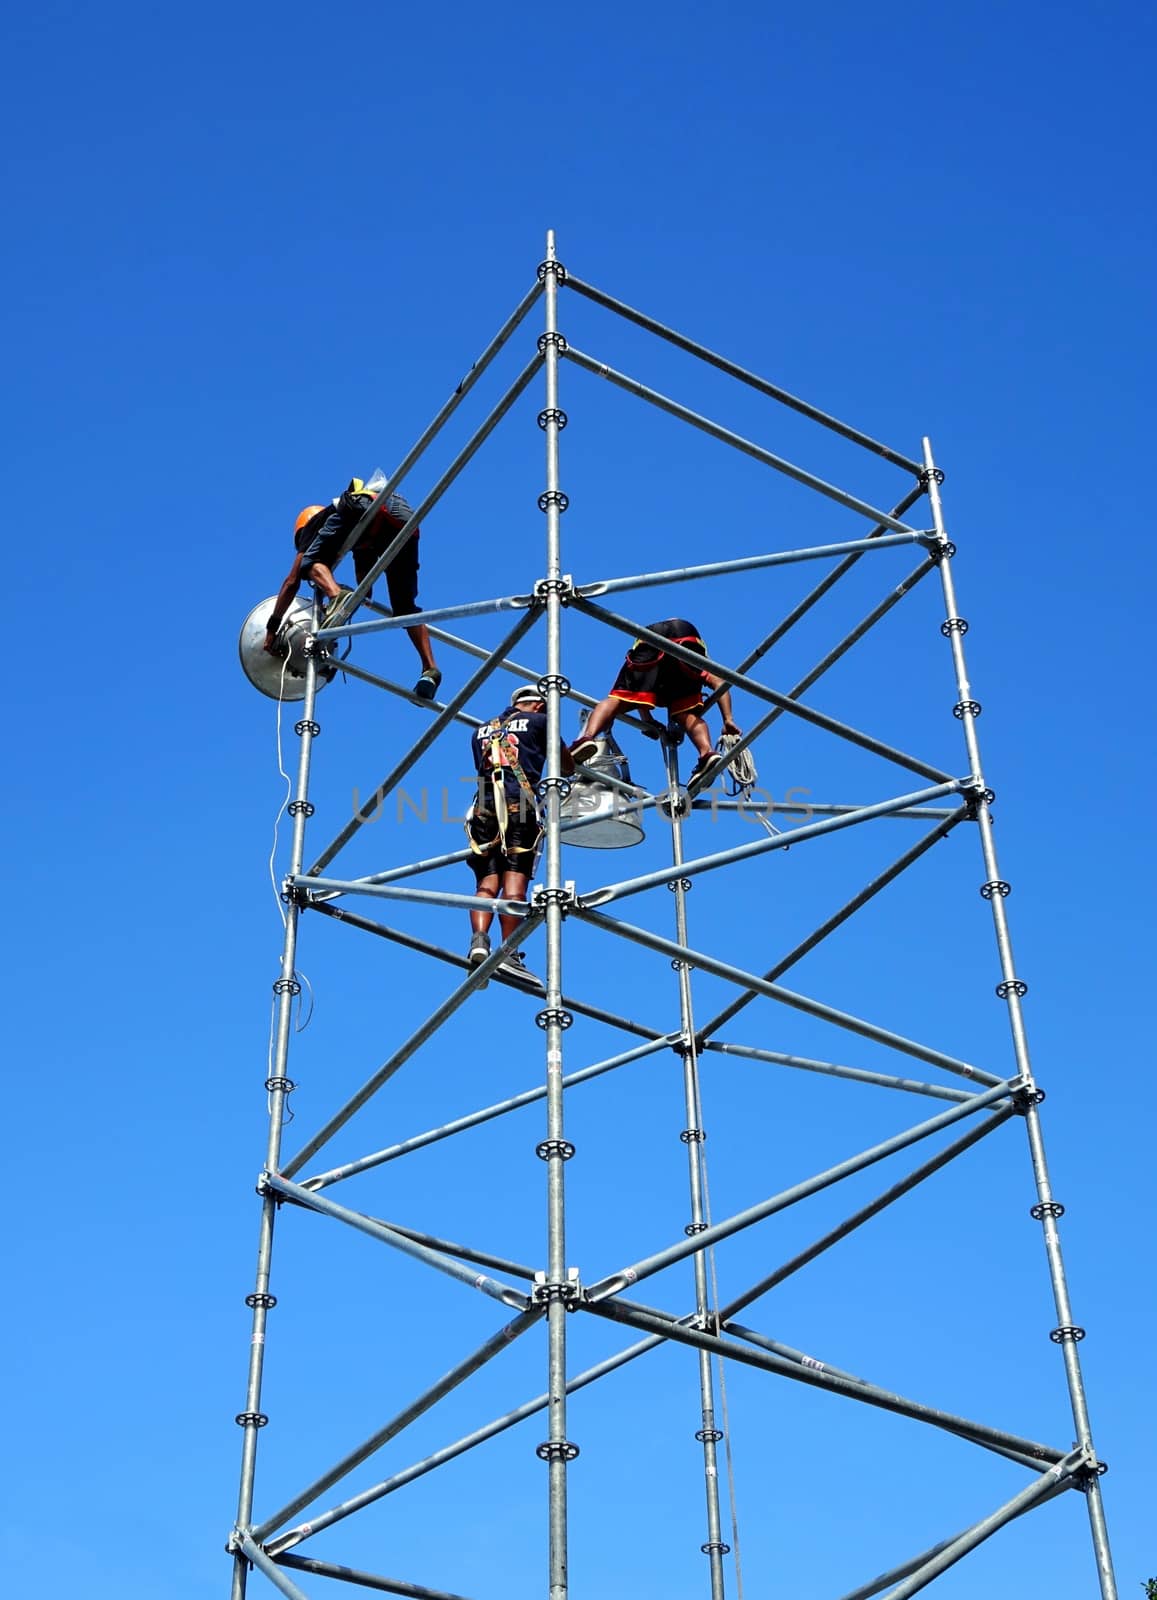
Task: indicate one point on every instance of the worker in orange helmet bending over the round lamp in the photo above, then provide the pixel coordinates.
(321, 534)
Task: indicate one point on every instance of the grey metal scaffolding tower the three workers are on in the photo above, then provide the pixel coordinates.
(543, 1297)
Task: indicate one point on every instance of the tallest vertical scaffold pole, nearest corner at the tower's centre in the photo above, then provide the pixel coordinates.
(558, 1450)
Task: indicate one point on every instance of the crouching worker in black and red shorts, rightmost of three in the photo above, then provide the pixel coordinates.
(651, 678)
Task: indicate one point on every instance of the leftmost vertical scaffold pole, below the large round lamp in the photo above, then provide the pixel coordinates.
(278, 1087)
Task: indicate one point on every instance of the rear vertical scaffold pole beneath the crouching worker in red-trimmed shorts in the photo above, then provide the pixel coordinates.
(694, 1135)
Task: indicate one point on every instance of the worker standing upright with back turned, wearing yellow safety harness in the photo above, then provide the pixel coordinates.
(503, 825)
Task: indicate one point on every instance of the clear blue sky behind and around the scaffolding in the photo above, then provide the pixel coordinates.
(252, 252)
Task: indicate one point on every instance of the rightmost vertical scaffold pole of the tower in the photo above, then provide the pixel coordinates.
(1012, 990)
